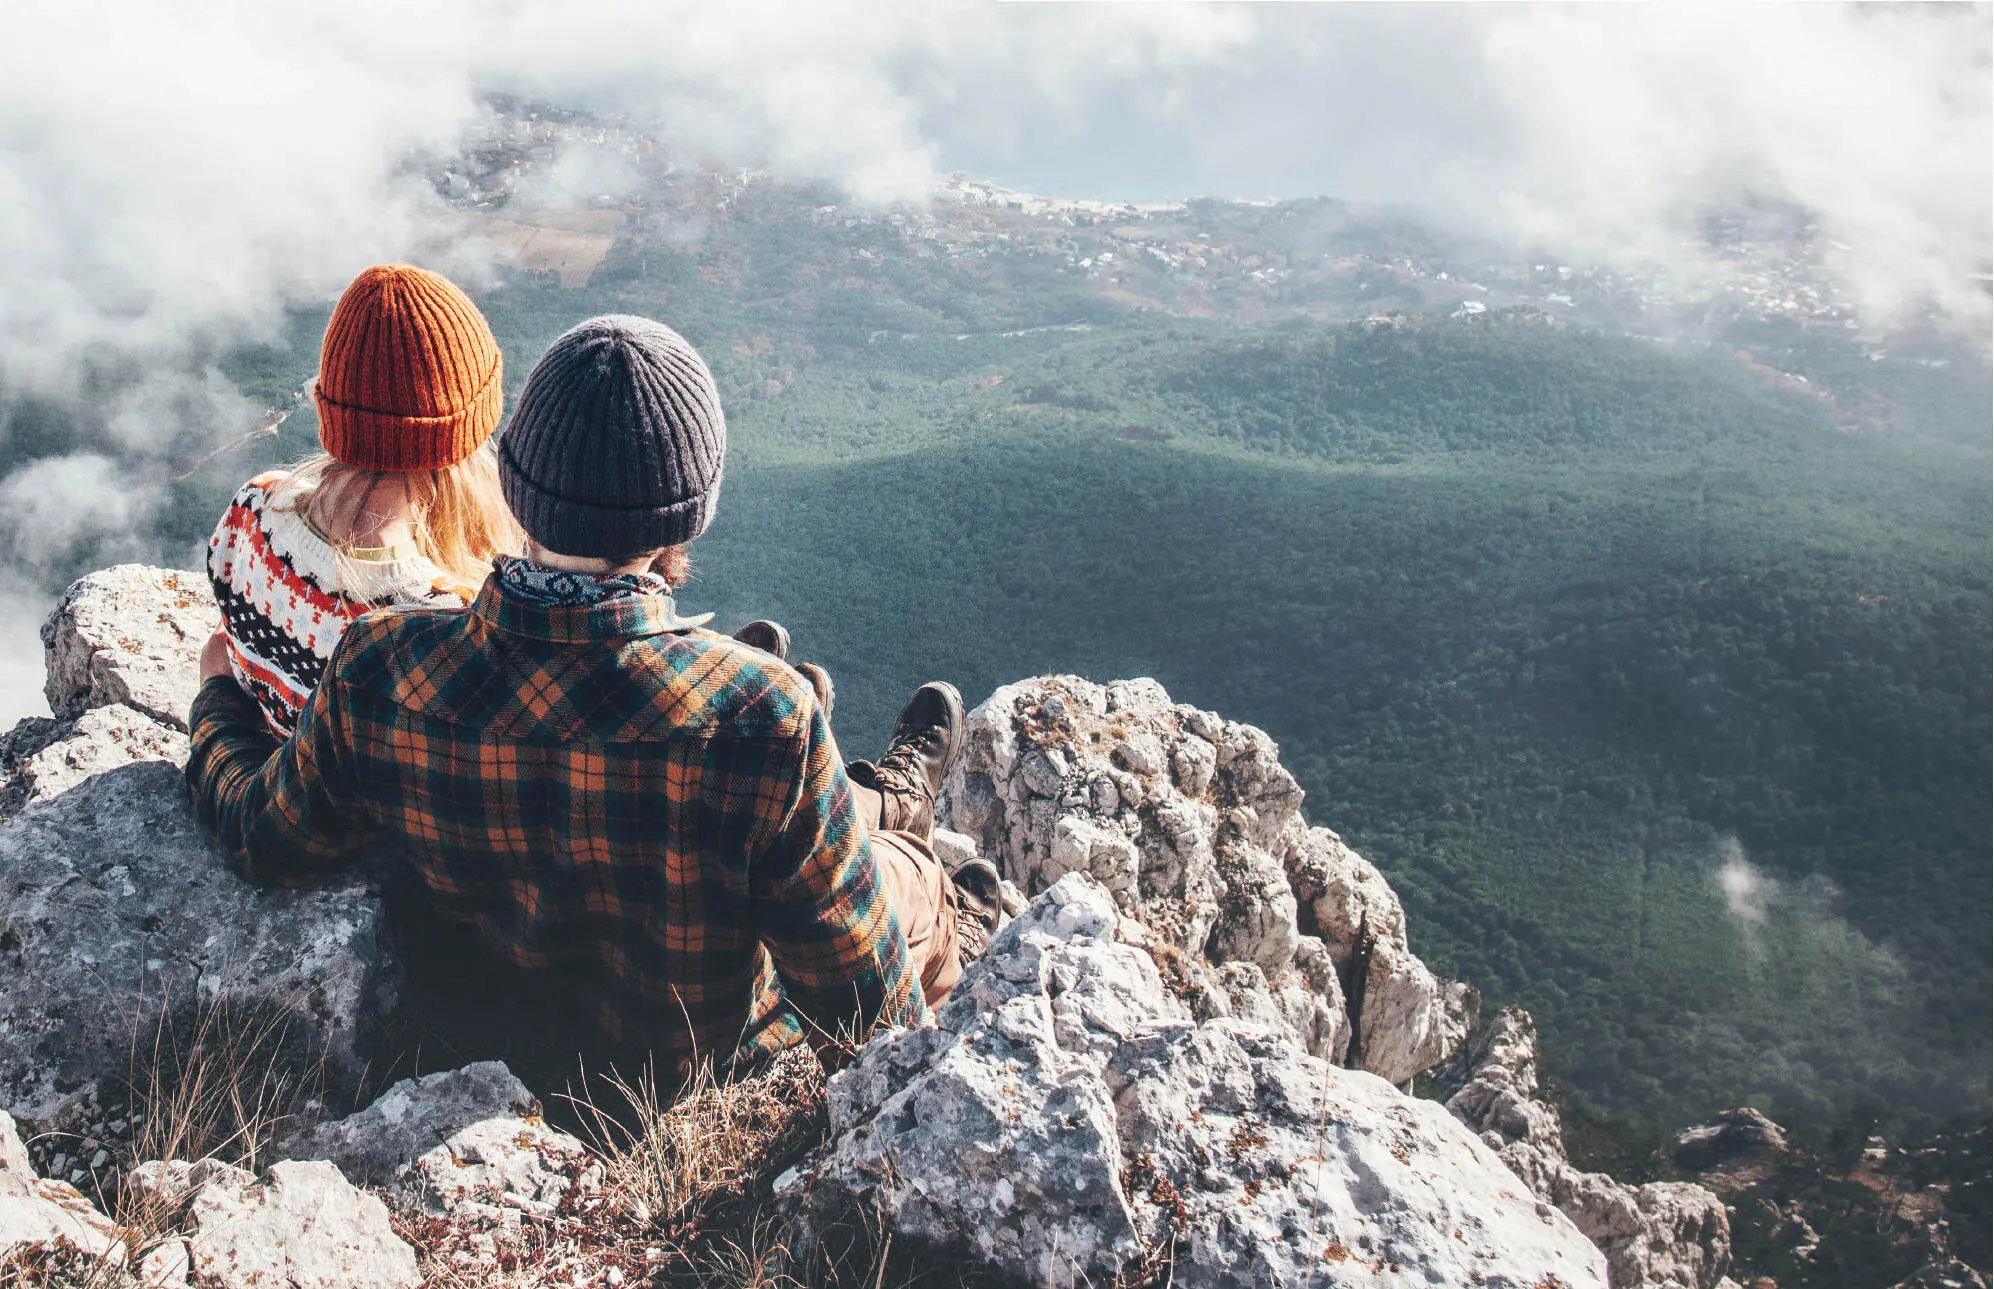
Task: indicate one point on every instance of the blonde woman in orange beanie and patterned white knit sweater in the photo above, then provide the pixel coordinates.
(404, 506)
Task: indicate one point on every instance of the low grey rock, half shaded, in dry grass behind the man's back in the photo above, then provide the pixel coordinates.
(468, 1142)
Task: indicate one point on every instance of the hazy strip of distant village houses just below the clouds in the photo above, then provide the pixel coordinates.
(551, 191)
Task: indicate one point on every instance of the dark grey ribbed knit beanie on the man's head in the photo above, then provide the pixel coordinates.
(617, 444)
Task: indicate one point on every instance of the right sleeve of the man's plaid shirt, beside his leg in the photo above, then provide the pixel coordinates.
(823, 909)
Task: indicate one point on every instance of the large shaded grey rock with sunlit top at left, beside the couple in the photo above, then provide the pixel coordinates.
(117, 911)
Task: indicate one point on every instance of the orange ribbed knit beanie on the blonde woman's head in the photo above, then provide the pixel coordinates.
(410, 376)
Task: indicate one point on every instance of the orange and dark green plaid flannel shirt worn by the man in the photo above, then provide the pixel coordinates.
(607, 793)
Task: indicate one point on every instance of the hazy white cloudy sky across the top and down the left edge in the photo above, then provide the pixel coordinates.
(174, 173)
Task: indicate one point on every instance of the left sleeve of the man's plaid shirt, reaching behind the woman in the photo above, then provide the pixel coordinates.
(284, 813)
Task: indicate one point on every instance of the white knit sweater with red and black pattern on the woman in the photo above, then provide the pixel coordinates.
(288, 596)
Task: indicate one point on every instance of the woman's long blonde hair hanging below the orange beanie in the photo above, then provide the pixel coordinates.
(458, 512)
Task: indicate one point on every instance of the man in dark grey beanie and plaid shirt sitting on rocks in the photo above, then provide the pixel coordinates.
(647, 819)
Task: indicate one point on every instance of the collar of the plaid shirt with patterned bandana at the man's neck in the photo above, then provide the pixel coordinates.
(573, 608)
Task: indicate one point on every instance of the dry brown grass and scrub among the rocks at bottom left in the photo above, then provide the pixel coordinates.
(685, 1198)
